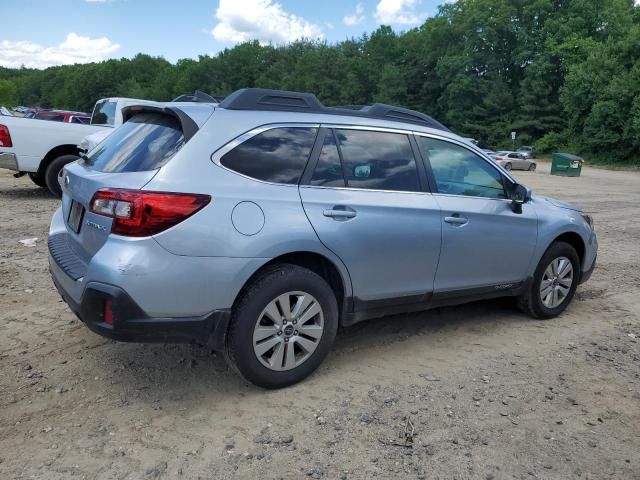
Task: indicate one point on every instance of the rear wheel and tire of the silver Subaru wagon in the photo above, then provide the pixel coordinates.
(283, 326)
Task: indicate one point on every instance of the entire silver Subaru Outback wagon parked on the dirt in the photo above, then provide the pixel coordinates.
(259, 226)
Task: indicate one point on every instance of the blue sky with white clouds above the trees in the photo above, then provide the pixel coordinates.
(42, 33)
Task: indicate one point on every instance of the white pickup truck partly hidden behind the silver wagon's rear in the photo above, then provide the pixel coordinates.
(41, 148)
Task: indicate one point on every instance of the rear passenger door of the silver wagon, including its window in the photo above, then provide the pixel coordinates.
(367, 201)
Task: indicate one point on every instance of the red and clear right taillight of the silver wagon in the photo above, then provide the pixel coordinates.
(137, 213)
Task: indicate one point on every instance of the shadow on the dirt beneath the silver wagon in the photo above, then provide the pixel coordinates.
(160, 368)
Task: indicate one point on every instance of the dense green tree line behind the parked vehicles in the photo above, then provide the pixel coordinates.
(563, 74)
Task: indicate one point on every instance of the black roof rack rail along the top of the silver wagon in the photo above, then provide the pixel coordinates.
(284, 101)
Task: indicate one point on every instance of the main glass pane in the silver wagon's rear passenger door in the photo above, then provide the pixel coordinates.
(378, 160)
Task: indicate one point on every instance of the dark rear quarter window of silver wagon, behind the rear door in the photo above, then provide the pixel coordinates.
(277, 155)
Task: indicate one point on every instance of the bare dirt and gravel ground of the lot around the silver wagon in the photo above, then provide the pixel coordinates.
(491, 393)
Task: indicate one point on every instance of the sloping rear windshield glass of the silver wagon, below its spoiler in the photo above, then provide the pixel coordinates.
(146, 142)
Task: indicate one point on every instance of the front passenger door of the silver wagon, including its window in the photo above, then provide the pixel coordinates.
(485, 245)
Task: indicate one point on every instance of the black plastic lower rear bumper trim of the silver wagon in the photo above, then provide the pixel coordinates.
(131, 324)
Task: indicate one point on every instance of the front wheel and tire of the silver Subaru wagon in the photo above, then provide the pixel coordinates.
(536, 301)
